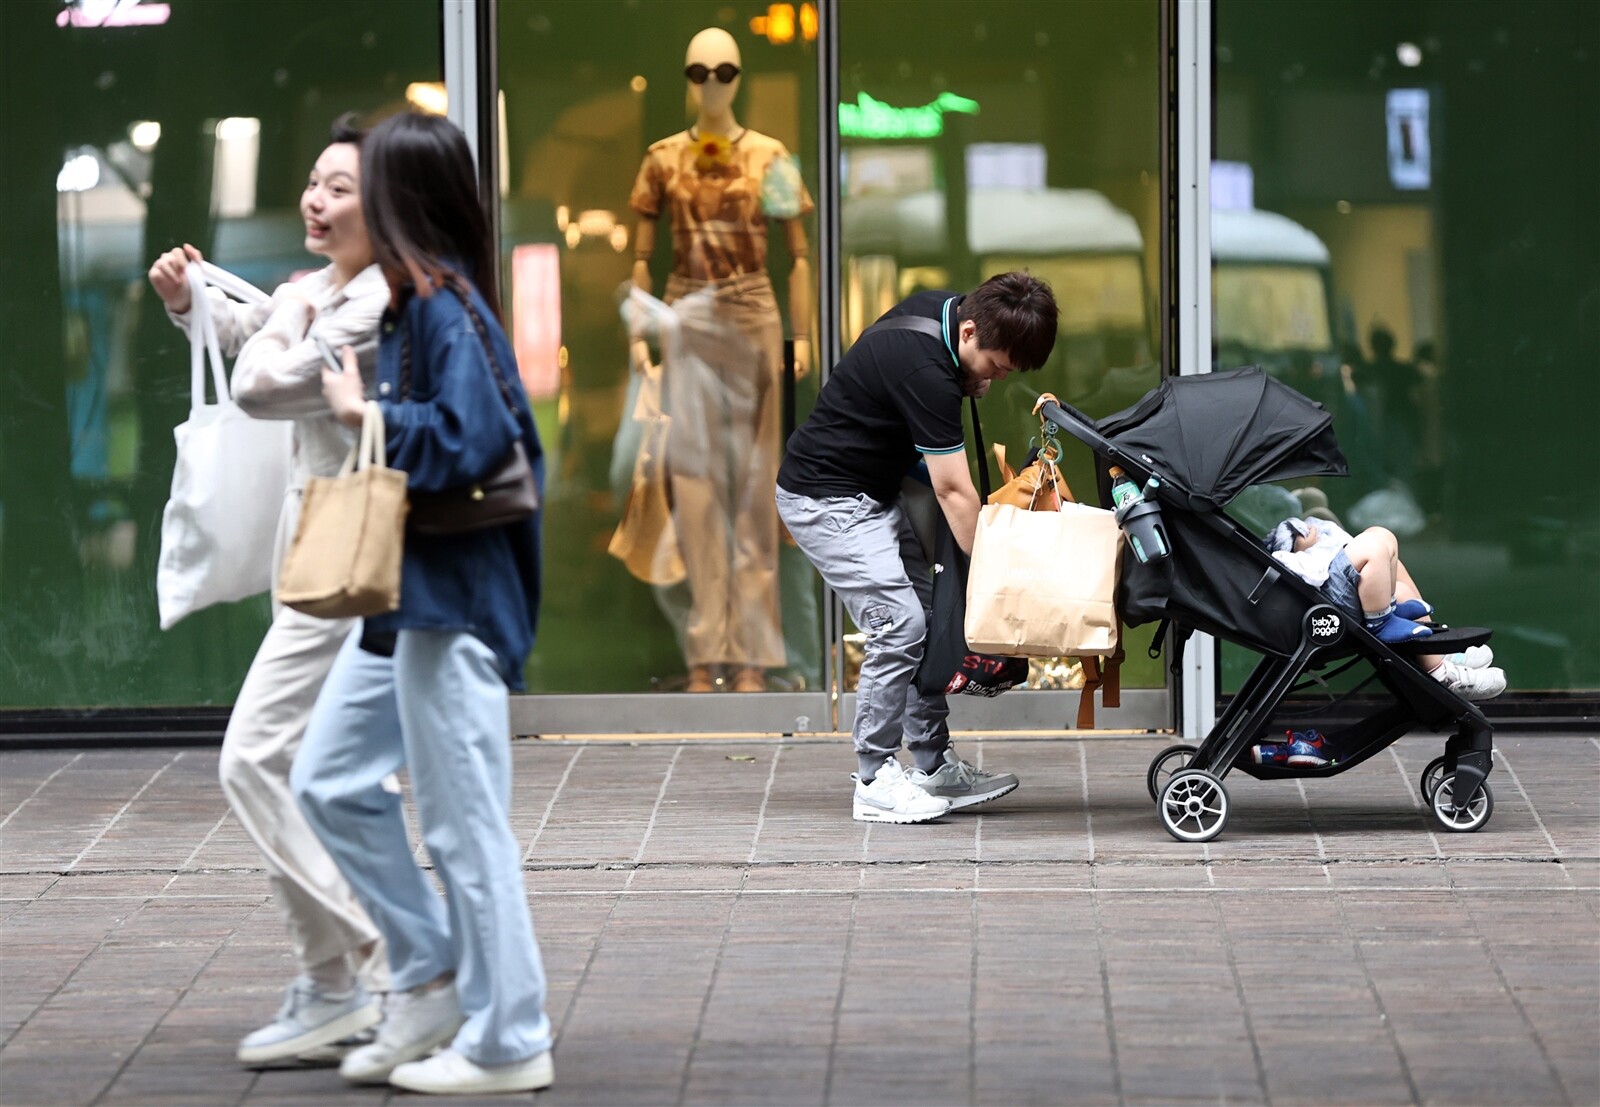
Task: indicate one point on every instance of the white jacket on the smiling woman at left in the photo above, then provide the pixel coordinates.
(278, 374)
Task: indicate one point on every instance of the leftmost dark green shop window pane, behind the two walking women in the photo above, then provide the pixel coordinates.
(132, 129)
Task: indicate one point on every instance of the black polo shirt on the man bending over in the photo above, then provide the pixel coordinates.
(895, 396)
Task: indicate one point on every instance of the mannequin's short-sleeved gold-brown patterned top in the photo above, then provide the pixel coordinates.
(714, 199)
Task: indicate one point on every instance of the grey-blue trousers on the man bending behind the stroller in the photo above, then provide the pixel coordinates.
(870, 556)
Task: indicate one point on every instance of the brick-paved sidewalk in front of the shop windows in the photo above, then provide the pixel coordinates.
(719, 932)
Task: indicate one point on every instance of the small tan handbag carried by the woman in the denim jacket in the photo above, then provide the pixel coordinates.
(345, 561)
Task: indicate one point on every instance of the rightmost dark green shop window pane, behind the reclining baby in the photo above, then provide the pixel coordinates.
(1407, 234)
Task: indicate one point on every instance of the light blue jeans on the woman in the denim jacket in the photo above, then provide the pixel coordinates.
(439, 709)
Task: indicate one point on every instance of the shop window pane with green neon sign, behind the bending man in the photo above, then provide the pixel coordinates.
(985, 138)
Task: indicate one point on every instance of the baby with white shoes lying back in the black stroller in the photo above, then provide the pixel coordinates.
(1364, 575)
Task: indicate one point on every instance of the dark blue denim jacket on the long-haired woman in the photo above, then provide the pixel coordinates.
(454, 428)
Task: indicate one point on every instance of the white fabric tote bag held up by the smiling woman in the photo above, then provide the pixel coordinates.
(230, 481)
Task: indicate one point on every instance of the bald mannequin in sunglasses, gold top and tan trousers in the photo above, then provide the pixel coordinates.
(721, 185)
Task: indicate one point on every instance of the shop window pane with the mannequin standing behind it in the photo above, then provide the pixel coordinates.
(590, 89)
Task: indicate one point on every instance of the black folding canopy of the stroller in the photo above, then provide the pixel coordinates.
(1217, 434)
